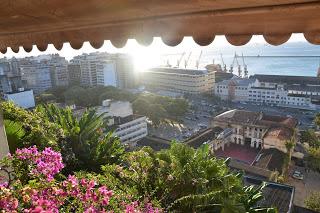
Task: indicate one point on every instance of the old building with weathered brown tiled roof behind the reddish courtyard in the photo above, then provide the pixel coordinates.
(254, 129)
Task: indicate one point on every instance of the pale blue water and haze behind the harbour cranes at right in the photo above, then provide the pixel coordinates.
(301, 66)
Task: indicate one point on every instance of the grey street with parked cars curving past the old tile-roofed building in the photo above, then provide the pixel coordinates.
(203, 109)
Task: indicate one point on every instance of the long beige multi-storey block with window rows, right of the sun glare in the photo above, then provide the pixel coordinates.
(178, 80)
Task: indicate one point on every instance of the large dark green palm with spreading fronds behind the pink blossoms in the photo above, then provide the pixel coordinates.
(87, 139)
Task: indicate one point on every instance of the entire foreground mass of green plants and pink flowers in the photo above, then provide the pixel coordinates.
(180, 179)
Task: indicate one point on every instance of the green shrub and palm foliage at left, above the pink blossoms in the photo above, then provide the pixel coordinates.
(83, 143)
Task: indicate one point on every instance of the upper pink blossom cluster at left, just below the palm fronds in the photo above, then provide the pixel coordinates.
(46, 162)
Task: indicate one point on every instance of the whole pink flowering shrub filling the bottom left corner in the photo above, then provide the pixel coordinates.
(44, 193)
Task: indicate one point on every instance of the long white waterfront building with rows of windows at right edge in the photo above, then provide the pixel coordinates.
(262, 92)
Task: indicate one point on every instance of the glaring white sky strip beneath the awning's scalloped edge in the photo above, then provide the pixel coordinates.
(144, 57)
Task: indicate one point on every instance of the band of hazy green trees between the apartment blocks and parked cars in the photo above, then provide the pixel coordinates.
(157, 108)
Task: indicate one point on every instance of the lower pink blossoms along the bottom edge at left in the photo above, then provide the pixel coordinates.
(72, 193)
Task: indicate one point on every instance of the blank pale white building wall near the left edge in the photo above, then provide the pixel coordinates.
(24, 99)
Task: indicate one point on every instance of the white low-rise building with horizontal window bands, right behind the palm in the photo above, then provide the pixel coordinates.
(129, 127)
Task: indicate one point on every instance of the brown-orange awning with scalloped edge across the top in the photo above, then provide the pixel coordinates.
(34, 22)
